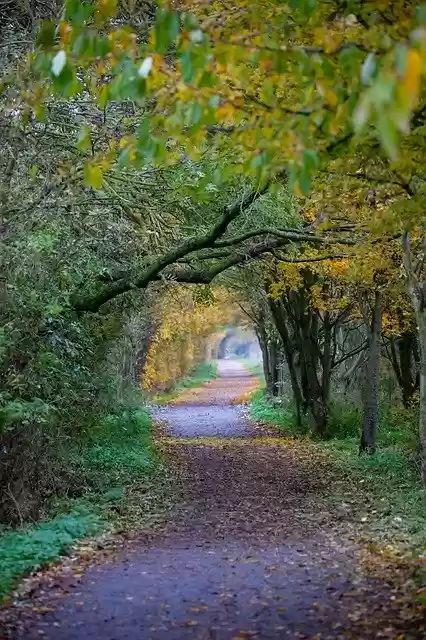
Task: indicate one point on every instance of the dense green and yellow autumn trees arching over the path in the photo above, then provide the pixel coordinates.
(170, 170)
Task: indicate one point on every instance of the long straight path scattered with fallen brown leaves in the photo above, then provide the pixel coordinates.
(267, 540)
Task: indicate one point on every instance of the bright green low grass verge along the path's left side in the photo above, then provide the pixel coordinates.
(113, 455)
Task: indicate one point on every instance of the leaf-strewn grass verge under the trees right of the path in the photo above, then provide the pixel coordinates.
(389, 481)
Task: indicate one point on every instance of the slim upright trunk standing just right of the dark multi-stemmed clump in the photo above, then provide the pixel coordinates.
(372, 381)
